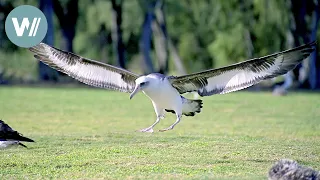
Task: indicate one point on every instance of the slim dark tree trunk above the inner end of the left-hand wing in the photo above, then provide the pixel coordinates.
(117, 32)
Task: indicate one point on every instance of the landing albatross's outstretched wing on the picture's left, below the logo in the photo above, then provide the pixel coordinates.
(88, 71)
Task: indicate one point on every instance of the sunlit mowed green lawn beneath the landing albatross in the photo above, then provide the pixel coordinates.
(85, 133)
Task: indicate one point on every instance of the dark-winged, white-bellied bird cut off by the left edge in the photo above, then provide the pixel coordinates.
(9, 137)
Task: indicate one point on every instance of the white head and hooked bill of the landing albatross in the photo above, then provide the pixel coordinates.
(144, 83)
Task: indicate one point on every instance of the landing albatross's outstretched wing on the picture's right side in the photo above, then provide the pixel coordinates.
(241, 75)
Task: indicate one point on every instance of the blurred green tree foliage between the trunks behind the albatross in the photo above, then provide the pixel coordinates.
(205, 33)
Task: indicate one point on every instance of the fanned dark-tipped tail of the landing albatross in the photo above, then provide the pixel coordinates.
(189, 107)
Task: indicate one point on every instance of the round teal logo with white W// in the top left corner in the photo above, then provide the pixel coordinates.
(26, 26)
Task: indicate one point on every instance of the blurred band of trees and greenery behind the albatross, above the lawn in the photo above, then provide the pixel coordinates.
(167, 35)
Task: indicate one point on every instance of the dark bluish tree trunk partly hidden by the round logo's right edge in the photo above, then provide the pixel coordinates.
(45, 72)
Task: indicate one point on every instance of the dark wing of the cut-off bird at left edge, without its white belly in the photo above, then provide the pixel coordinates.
(8, 134)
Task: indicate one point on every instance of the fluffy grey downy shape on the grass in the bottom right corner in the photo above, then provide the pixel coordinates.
(286, 169)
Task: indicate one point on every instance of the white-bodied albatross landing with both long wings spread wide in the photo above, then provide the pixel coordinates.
(165, 91)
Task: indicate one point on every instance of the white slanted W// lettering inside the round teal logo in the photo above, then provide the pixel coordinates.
(25, 24)
